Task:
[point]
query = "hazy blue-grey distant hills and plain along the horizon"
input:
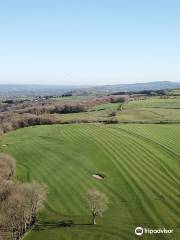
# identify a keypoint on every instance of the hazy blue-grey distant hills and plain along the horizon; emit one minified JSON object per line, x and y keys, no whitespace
{"x":22,"y":90}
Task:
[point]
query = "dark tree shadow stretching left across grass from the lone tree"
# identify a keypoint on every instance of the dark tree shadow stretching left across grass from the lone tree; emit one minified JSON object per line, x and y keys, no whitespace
{"x":57,"y":224}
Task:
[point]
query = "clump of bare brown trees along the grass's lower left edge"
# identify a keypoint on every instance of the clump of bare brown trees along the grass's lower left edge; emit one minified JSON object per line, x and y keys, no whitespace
{"x":19,"y":202}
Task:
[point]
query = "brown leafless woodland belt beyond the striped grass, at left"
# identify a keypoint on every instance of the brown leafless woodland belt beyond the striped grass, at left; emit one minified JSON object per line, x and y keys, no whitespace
{"x":39,"y":113}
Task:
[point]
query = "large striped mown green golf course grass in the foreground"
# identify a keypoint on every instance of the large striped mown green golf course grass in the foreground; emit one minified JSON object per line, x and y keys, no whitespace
{"x":141,"y":164}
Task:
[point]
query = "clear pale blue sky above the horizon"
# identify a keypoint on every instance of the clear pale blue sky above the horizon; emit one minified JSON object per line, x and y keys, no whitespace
{"x":89,"y":41}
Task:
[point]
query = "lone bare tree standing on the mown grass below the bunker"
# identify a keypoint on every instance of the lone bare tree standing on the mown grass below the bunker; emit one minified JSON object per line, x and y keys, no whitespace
{"x":97,"y":203}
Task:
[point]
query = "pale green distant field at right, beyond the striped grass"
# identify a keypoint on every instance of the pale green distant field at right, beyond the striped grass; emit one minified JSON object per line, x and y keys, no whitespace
{"x":151,"y":109}
